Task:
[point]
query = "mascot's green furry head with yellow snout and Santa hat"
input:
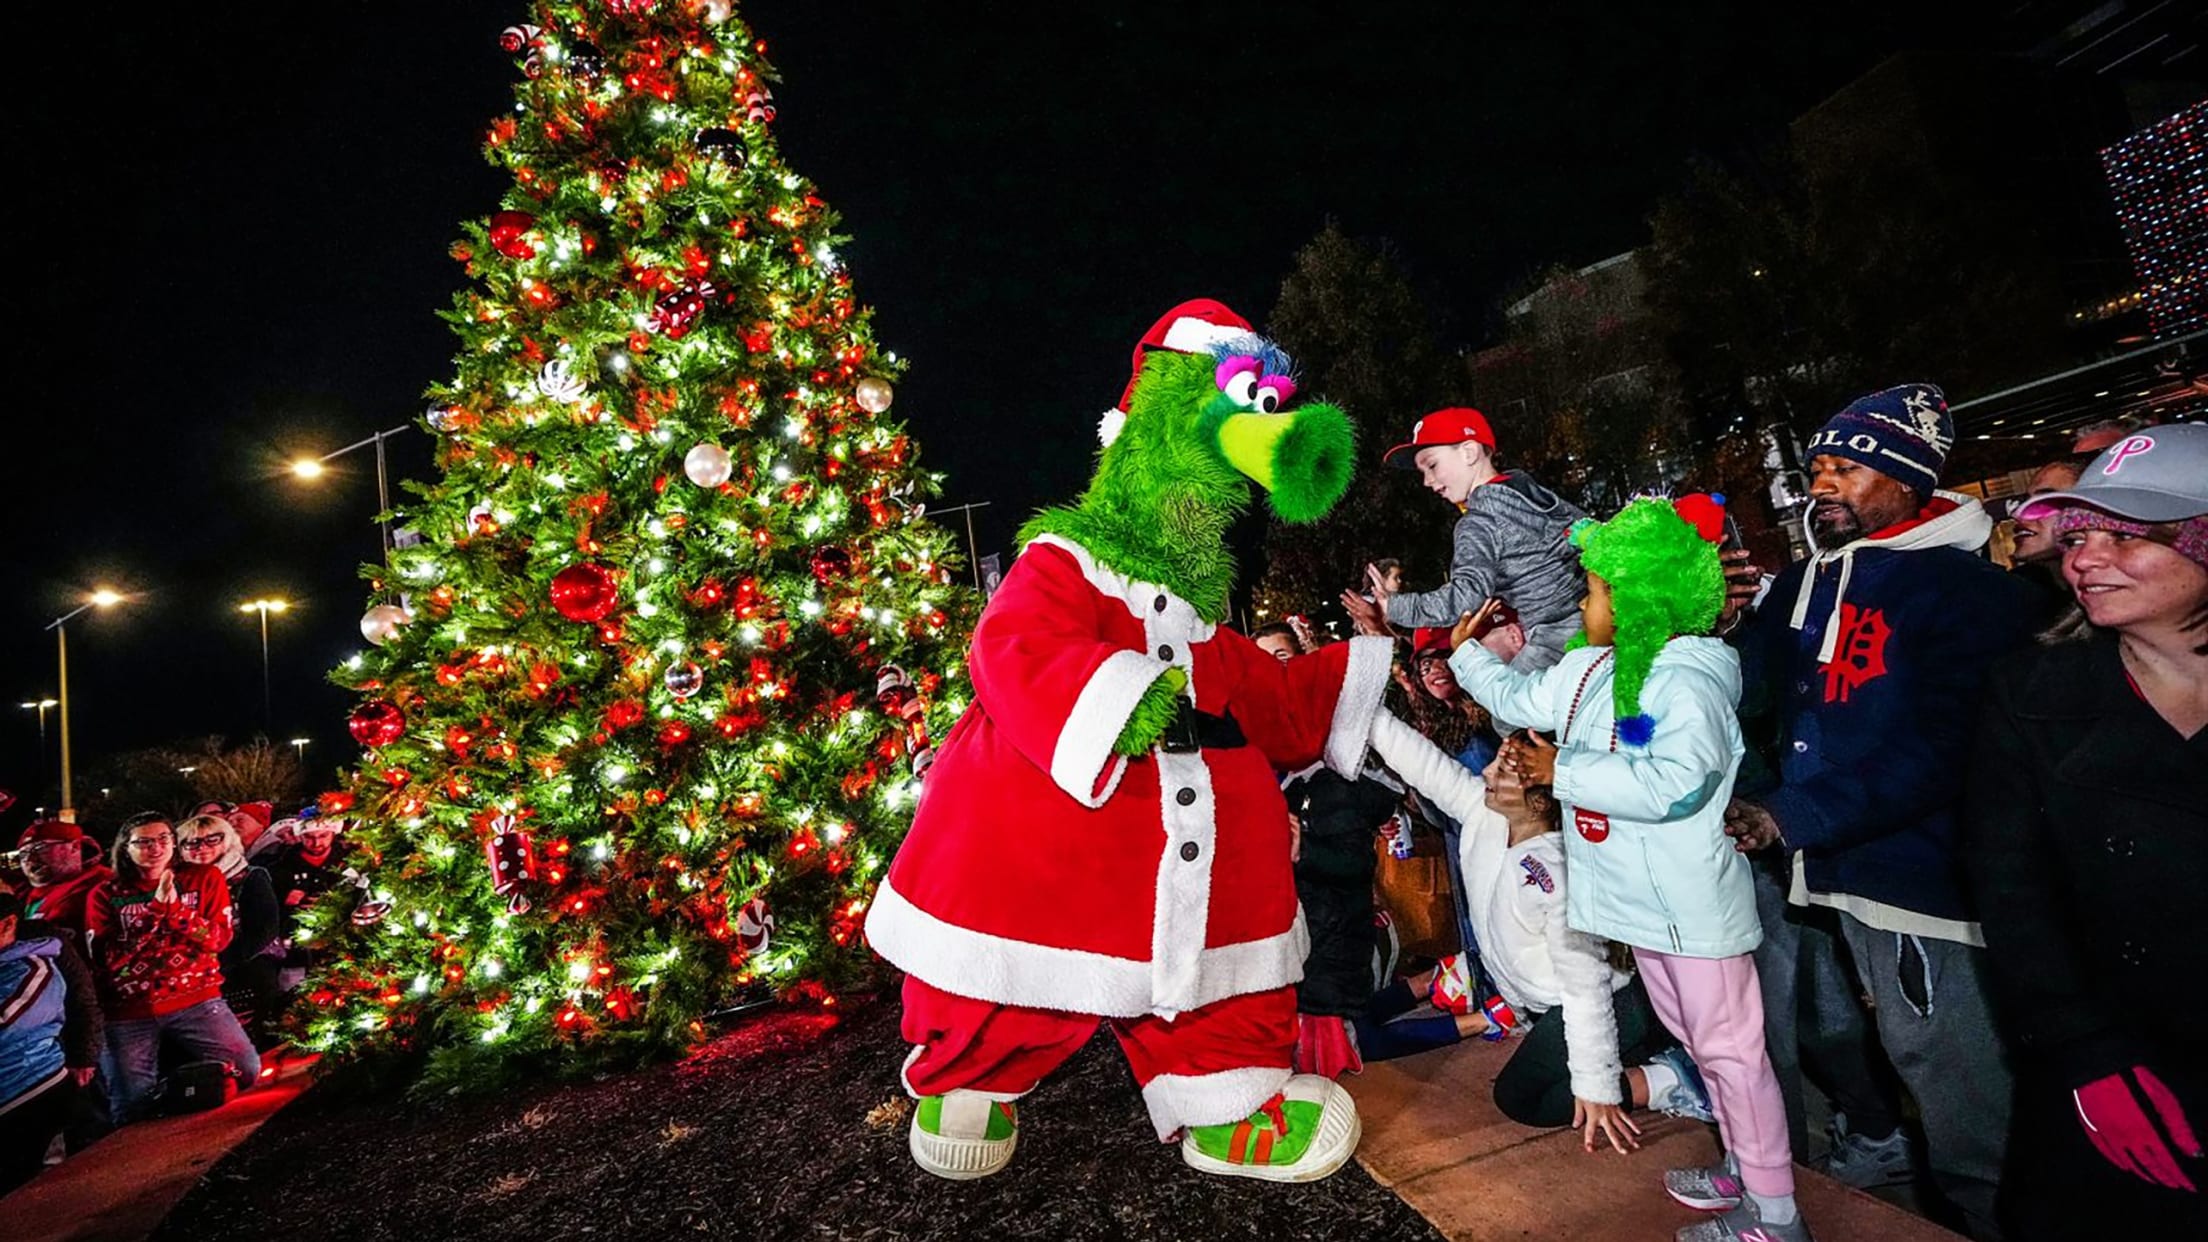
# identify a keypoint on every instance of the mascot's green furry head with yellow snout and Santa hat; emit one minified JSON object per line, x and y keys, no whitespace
{"x":1207,"y":414}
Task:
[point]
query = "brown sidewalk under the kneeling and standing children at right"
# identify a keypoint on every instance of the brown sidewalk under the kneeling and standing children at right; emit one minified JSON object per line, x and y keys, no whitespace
{"x":1434,"y":1137}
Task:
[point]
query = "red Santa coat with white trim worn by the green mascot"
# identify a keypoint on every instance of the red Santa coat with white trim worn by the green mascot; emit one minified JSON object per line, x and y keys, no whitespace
{"x":1048,"y":872}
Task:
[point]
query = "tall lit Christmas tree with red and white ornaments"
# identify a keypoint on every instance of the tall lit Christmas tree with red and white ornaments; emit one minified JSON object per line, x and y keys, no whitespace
{"x":650,"y":693}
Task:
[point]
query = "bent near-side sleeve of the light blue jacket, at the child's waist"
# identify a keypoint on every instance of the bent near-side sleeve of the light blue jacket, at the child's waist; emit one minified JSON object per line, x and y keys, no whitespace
{"x":1684,"y":766}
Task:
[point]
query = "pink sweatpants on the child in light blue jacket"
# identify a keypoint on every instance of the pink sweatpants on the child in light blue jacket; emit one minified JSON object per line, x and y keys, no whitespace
{"x":1717,"y":1009}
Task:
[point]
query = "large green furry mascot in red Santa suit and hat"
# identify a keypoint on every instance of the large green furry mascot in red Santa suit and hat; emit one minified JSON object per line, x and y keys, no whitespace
{"x":1103,"y":836}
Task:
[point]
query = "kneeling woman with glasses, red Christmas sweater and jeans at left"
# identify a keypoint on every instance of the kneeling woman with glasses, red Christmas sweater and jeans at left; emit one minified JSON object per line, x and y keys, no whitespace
{"x":156,"y":936}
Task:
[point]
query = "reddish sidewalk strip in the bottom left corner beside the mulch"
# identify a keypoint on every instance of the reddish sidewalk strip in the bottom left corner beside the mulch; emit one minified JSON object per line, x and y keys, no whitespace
{"x":120,"y":1188}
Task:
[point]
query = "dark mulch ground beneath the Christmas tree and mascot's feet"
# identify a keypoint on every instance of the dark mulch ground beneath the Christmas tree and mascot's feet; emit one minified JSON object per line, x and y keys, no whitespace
{"x":776,"y":1130}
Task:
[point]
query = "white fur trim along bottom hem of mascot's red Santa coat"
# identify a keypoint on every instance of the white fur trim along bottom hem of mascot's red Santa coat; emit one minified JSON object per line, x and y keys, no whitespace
{"x":1048,"y":978}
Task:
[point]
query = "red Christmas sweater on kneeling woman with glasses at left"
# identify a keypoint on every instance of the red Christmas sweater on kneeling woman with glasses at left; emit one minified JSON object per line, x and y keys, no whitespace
{"x":160,"y":958}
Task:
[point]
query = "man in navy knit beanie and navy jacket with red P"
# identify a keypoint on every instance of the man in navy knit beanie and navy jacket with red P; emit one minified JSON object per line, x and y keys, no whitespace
{"x":1873,"y":655}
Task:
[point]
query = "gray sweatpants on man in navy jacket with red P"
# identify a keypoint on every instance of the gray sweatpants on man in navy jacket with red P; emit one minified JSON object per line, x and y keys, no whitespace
{"x":1940,"y":1035}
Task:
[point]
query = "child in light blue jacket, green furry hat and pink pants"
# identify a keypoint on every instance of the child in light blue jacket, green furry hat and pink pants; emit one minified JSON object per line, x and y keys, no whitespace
{"x":1648,"y":744}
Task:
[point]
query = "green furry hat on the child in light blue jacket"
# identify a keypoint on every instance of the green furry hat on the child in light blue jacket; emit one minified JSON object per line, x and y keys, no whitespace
{"x":1662,"y":562}
